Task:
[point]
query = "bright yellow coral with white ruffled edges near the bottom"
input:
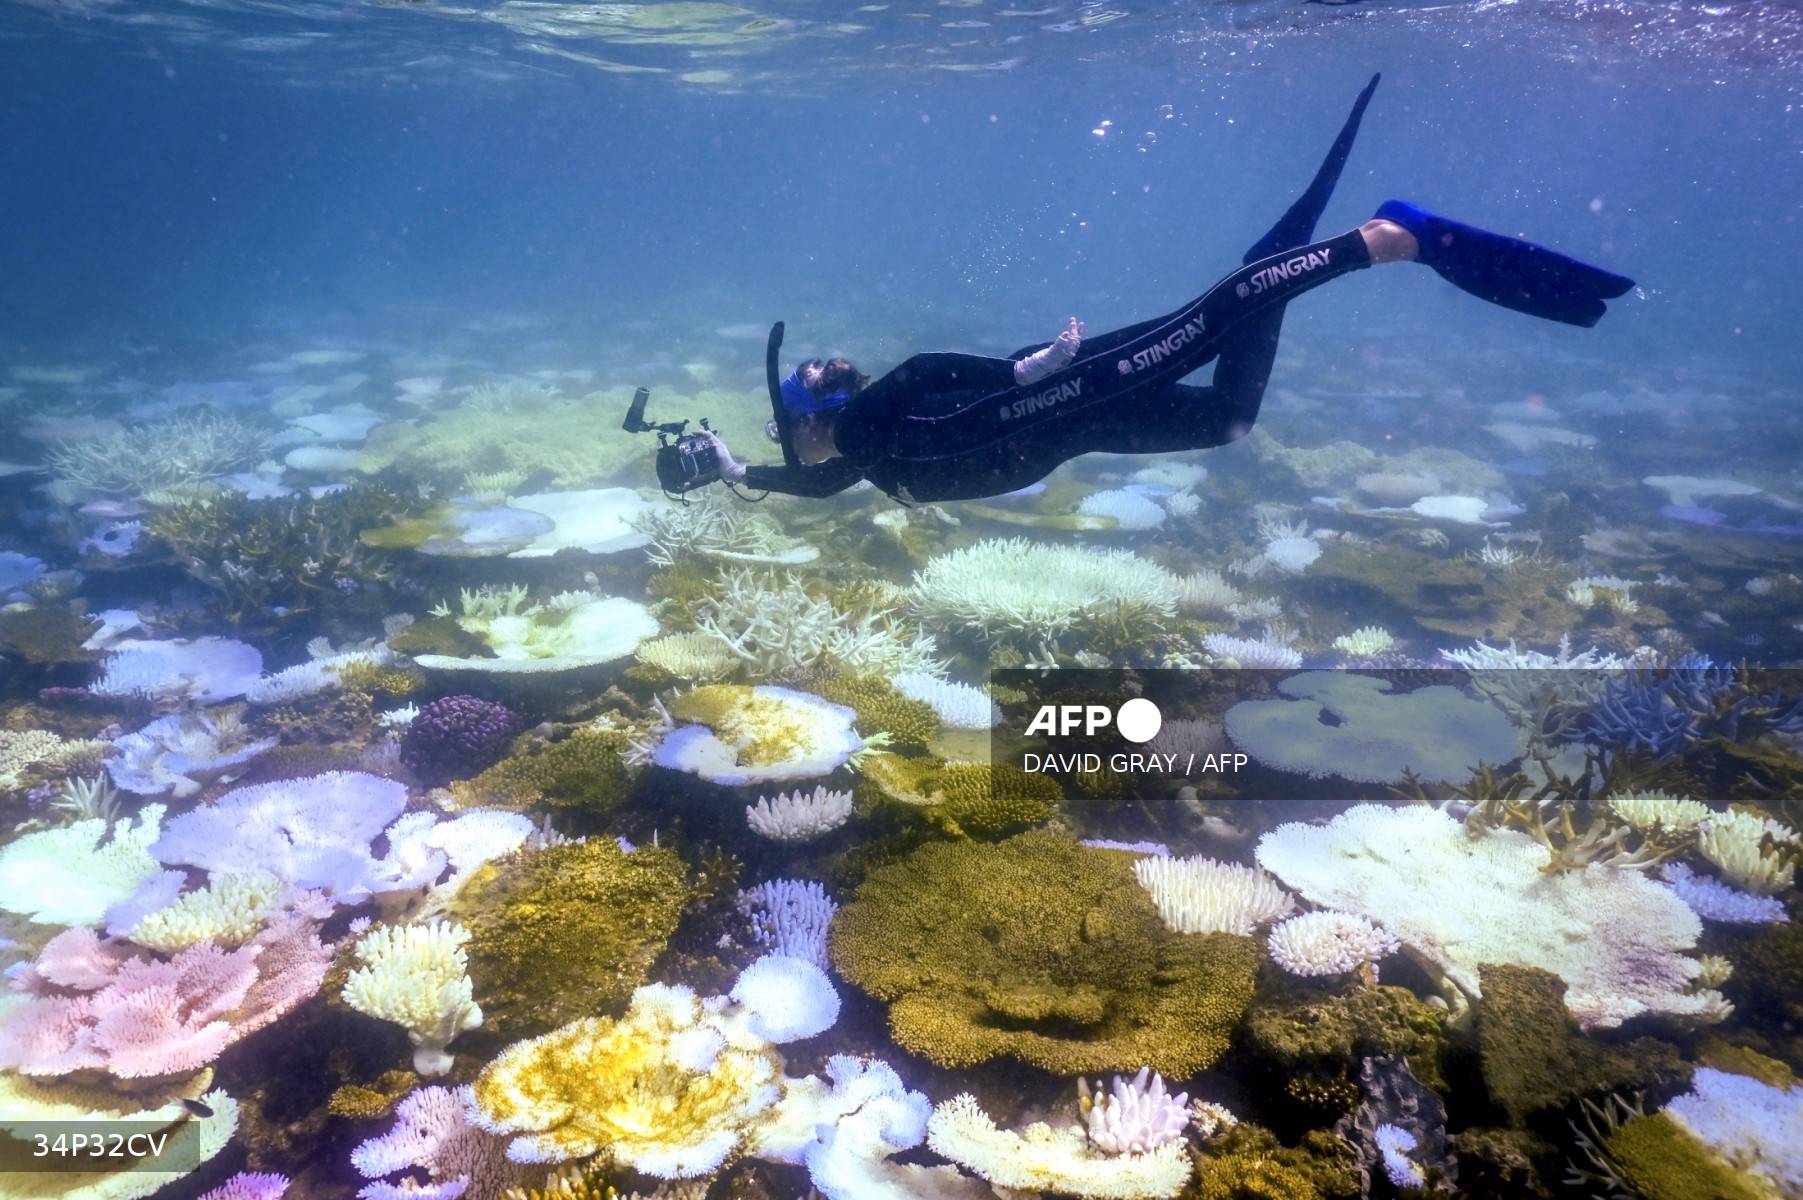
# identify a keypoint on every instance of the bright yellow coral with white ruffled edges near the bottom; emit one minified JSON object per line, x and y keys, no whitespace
{"x":639,"y":1091}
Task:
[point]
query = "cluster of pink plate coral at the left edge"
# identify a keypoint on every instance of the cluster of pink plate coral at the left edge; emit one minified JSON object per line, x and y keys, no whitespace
{"x":93,"y":1006}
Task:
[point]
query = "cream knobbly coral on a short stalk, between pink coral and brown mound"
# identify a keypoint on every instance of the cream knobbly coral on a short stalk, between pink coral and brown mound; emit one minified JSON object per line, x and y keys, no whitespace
{"x":417,"y":976}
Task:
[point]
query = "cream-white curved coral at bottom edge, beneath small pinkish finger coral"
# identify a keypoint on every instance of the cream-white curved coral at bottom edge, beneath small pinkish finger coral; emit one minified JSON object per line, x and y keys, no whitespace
{"x":1057,"y":1161}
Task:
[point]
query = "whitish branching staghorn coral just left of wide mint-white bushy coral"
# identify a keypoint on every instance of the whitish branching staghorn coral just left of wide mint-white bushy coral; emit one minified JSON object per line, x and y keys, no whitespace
{"x":773,"y":624}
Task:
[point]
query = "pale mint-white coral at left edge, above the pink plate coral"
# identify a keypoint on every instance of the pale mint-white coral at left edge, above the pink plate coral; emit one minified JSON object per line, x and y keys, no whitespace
{"x":68,"y":877}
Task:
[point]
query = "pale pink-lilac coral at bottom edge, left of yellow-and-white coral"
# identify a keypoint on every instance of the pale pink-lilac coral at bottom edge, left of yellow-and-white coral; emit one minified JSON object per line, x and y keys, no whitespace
{"x":432,"y":1132}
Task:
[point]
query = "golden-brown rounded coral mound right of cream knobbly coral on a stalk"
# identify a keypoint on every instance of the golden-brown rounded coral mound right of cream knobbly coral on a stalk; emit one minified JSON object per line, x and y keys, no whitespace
{"x":567,"y":931}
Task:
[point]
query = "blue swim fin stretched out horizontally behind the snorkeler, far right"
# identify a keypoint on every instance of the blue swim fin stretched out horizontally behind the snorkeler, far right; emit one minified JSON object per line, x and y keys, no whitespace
{"x":1508,"y":271}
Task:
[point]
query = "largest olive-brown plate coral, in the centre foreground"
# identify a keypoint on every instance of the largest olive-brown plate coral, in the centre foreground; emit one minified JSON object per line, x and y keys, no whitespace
{"x":1043,"y":950}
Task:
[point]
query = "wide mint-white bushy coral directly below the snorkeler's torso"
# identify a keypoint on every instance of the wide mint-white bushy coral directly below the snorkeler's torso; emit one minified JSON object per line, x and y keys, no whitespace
{"x":1039,"y":590}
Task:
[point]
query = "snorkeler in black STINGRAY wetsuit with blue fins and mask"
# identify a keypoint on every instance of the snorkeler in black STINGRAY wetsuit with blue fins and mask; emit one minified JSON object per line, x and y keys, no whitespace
{"x":955,"y":426}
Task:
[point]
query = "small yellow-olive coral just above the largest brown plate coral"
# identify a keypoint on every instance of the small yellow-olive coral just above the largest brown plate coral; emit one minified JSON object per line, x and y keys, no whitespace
{"x":966,"y":799}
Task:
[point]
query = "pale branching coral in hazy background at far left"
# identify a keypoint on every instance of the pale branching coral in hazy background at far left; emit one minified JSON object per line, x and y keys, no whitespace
{"x":172,"y":453}
